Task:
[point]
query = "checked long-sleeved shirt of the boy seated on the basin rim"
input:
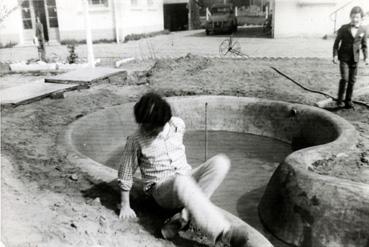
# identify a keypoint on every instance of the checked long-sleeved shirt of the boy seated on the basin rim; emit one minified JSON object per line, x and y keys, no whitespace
{"x":158,"y":157}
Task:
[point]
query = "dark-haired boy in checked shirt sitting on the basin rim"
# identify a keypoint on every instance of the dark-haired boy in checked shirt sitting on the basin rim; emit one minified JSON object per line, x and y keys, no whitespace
{"x":157,"y":149}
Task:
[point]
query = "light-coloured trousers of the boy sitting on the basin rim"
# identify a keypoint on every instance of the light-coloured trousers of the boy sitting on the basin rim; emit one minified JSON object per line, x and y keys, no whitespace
{"x":193,"y":192}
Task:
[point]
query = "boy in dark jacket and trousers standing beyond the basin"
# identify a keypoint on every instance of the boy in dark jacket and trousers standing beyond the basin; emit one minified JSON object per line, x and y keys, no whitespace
{"x":346,"y":49}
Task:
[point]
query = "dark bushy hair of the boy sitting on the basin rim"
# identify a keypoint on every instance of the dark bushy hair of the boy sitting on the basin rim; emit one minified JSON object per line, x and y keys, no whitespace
{"x":152,"y":111}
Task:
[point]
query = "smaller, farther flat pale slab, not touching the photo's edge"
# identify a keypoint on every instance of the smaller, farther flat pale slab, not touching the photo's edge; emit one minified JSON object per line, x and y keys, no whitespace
{"x":84,"y":75}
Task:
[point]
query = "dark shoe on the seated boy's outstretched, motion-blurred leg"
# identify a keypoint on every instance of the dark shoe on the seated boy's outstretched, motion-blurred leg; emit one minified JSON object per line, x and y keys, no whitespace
{"x":236,"y":236}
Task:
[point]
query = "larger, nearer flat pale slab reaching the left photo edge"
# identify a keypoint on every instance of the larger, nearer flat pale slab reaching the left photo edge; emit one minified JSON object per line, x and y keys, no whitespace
{"x":31,"y":92}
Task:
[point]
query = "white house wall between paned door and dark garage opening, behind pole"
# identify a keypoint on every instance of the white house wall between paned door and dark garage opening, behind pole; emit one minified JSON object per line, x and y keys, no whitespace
{"x":141,"y":18}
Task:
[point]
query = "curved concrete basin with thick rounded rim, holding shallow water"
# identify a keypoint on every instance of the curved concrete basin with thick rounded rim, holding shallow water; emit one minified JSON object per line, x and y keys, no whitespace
{"x":299,"y":206}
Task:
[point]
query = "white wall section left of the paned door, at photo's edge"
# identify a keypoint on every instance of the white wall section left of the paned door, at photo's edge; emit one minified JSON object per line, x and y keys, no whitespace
{"x":11,"y":28}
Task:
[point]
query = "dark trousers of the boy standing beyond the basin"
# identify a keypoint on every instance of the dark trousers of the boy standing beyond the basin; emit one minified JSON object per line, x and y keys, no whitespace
{"x":348,"y":77}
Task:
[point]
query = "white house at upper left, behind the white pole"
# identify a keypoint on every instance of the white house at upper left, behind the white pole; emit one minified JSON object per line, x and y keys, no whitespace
{"x":64,"y":19}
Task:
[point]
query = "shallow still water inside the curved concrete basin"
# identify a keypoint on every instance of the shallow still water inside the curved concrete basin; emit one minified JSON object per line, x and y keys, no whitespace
{"x":254,"y":159}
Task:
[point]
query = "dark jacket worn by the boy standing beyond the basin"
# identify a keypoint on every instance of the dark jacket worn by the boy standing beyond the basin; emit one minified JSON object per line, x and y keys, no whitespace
{"x":347,"y":47}
